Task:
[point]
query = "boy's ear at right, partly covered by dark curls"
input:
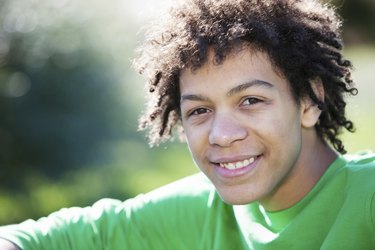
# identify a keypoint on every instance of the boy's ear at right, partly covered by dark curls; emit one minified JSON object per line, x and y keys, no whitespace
{"x":310,"y":111}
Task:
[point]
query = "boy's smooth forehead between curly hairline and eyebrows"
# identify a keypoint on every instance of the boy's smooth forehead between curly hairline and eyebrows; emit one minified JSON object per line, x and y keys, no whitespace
{"x":246,"y":64}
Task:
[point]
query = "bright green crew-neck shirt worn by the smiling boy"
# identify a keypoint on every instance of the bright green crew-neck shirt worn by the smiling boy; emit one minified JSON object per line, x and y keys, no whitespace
{"x":338,"y":213}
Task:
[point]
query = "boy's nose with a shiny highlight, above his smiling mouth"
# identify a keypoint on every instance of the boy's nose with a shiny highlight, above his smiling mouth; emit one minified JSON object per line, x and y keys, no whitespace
{"x":225,"y":130}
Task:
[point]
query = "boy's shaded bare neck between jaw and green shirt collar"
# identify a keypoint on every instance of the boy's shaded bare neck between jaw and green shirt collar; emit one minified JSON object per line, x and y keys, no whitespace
{"x":315,"y":157}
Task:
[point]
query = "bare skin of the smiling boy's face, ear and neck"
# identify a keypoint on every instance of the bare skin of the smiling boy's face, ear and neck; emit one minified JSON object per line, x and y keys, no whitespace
{"x":243,"y":110}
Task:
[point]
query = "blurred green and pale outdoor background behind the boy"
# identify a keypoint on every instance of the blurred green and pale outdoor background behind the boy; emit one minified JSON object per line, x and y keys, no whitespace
{"x":69,"y":103}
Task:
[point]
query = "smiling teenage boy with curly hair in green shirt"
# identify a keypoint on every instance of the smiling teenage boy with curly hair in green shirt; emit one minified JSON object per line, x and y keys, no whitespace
{"x":256,"y":88}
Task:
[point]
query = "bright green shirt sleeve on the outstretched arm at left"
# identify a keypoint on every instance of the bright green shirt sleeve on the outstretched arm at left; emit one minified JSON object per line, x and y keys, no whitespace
{"x":169,"y":216}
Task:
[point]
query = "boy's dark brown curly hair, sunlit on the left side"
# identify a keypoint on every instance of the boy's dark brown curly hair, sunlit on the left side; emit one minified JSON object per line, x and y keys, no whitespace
{"x":301,"y":37}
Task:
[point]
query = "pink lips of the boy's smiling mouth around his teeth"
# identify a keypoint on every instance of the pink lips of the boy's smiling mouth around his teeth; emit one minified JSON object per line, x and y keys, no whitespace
{"x":232,"y":173}
